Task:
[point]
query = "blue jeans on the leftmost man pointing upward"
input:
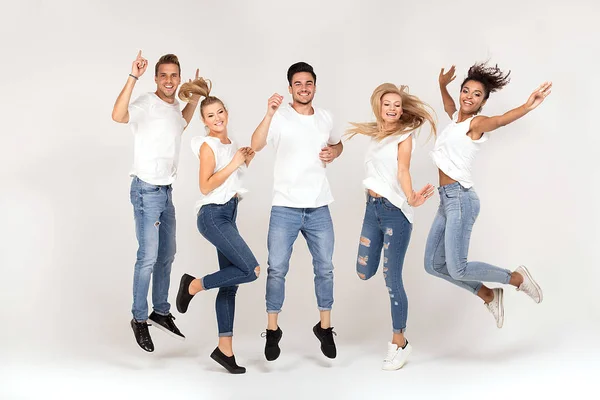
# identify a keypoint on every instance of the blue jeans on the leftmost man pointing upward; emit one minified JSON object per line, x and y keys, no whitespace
{"x":155,"y":231}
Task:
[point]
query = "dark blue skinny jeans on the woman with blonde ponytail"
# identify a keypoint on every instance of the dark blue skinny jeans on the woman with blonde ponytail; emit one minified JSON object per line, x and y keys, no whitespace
{"x":216,"y":222}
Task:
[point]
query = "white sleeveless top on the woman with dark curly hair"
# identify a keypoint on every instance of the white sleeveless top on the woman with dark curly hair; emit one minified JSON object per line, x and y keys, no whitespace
{"x":454,"y":151}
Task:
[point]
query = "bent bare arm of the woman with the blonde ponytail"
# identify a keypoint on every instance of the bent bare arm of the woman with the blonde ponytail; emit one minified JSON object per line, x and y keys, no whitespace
{"x":209,"y":180}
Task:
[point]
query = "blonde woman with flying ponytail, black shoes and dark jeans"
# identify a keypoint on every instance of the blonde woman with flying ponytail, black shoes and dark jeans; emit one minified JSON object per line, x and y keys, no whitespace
{"x":221,"y":166}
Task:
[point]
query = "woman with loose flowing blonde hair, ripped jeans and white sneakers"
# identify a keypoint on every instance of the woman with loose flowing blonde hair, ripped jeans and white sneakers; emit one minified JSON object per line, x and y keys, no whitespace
{"x":391,"y":198}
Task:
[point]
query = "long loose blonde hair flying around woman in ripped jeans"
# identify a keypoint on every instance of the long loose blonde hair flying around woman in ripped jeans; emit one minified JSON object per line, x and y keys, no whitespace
{"x":415,"y":114}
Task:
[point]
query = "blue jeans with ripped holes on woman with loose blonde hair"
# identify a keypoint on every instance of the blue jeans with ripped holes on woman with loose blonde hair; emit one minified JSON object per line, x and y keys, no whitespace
{"x":385,"y":227}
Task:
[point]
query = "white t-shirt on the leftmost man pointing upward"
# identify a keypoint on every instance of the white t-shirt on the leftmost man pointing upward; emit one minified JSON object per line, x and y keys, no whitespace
{"x":157,"y":127}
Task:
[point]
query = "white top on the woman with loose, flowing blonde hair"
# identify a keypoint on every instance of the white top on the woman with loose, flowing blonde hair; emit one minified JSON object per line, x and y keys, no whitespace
{"x":381,"y":168}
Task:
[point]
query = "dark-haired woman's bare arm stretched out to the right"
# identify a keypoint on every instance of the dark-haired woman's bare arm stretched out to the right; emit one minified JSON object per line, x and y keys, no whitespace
{"x":481,"y":124}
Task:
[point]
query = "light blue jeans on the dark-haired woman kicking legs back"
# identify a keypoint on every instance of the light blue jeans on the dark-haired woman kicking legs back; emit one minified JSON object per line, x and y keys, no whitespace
{"x":448,"y":242}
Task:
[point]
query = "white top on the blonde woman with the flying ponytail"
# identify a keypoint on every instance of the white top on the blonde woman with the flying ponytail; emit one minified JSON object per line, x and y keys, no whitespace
{"x":223,"y":155}
